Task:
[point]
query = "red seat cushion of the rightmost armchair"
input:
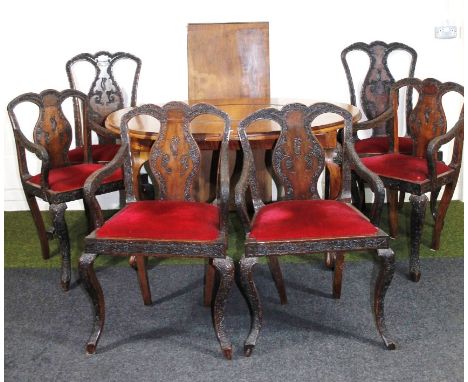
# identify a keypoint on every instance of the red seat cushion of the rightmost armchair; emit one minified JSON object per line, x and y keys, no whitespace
{"x":405,"y":167}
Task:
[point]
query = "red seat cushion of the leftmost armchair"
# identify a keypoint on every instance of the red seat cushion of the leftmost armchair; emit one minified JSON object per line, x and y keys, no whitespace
{"x":73,"y":177}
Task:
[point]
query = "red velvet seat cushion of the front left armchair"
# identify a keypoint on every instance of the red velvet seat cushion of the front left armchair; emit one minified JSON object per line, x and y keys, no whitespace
{"x":163,"y":220}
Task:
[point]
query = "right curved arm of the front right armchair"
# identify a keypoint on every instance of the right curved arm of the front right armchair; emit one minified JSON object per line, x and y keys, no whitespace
{"x":372,"y":179}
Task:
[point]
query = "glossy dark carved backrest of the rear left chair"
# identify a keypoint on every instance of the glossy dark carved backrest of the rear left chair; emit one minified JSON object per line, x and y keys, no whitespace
{"x":105,"y":94}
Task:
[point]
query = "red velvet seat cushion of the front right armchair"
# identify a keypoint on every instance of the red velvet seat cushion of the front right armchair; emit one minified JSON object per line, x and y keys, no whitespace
{"x":309,"y":219}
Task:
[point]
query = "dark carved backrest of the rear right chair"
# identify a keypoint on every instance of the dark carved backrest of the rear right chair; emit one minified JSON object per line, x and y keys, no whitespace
{"x":375,"y":89}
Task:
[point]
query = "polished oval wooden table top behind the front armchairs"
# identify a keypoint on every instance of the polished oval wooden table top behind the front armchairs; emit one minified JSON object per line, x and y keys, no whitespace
{"x":209,"y":128}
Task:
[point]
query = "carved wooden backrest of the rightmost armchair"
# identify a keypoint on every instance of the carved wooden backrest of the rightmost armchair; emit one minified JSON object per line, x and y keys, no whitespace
{"x":427,"y":120}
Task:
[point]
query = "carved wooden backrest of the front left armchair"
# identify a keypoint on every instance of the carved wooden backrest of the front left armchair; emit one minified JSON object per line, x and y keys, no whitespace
{"x":175,"y":156}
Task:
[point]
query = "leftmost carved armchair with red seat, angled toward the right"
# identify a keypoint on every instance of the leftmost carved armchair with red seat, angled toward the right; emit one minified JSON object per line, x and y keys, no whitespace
{"x":59,"y":180}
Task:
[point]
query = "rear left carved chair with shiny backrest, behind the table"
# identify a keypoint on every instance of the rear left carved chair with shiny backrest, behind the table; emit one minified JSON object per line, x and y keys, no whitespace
{"x":105,"y":96}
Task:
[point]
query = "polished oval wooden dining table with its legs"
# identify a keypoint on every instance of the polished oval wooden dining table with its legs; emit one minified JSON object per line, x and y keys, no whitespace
{"x":262,"y":135}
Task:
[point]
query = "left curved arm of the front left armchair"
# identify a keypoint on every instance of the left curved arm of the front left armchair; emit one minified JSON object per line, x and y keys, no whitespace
{"x":94,"y":181}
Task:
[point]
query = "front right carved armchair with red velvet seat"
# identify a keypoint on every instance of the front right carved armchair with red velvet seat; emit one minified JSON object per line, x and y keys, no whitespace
{"x":300,"y":222}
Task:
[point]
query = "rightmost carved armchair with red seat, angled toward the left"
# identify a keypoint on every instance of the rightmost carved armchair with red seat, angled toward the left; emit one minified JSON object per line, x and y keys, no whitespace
{"x":422,"y":171}
